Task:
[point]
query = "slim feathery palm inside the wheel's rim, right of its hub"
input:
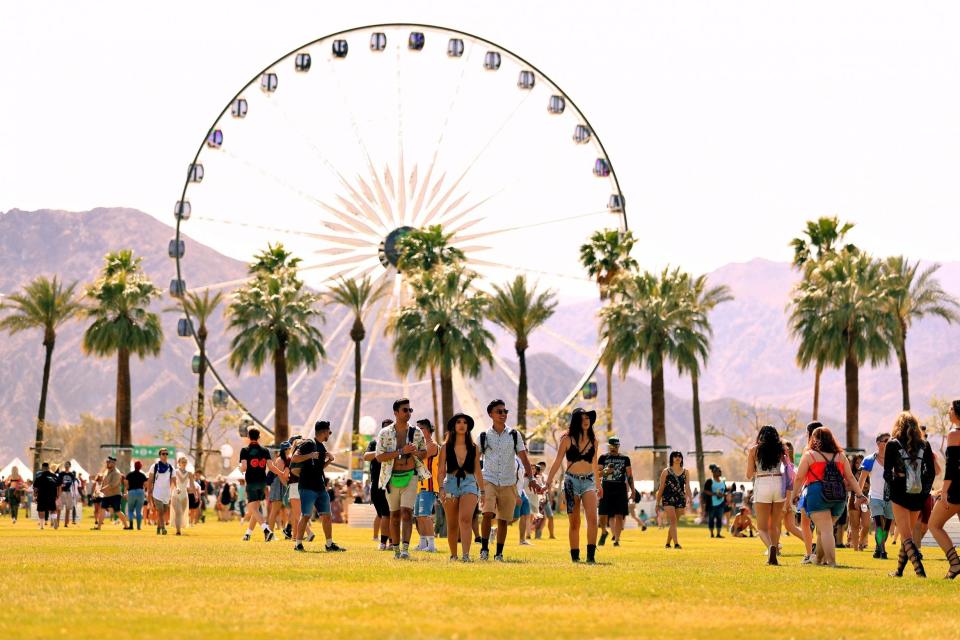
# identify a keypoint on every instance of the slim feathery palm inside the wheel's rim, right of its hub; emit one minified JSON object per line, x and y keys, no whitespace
{"x":520,"y":310}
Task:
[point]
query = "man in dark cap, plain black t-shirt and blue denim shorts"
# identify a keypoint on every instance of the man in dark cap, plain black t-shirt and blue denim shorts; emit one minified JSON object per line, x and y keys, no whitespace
{"x":313,"y":457}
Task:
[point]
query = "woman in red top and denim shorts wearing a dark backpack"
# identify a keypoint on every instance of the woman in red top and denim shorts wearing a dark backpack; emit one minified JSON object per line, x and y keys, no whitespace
{"x":826,"y":472}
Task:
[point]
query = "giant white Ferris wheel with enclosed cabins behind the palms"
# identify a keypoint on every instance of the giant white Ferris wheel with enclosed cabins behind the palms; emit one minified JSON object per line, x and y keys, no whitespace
{"x":339,"y":147}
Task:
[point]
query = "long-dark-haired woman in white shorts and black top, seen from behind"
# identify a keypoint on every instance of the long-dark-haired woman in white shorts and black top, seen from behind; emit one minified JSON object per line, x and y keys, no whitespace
{"x":765,"y":466}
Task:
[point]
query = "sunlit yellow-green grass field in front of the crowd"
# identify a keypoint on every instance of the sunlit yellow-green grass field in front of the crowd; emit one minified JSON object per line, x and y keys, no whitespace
{"x":208,"y":584}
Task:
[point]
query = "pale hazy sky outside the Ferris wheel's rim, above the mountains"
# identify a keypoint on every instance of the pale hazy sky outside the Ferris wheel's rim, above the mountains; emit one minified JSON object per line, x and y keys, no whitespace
{"x":728,"y":123}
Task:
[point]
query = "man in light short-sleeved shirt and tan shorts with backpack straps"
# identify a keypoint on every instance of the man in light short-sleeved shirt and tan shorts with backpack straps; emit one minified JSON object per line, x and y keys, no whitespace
{"x":500,"y":447}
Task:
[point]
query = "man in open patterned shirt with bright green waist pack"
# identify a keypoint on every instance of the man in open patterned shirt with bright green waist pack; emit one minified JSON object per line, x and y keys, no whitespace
{"x":400,"y":450}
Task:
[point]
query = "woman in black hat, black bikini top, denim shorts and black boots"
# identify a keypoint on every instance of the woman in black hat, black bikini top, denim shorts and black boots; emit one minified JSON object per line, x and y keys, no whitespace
{"x":581,"y":482}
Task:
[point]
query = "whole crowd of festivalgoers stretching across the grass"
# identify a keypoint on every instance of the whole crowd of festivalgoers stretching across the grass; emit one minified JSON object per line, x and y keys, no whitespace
{"x":471,"y":490}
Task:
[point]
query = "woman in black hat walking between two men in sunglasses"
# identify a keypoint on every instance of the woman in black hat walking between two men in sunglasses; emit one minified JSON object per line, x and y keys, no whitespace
{"x":460,"y":490}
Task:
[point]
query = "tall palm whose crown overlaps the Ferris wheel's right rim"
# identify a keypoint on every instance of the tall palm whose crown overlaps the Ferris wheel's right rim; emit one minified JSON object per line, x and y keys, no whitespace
{"x":606,"y":257}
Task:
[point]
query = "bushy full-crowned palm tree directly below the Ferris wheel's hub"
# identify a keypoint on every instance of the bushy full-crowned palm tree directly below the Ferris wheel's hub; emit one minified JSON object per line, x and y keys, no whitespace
{"x":442,"y":326}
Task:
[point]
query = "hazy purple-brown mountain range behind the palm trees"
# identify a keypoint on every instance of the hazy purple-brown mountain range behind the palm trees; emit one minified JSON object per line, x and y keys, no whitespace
{"x":751,"y":364}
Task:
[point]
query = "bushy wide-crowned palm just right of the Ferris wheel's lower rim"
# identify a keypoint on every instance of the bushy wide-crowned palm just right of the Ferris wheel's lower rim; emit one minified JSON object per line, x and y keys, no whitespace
{"x":651,"y":322}
